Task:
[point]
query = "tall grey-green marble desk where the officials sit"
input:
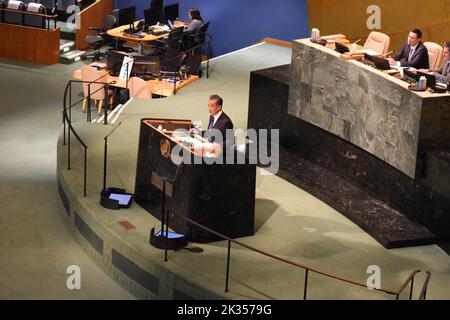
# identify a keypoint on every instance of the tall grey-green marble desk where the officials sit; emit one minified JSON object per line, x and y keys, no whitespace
{"x":367,"y":107}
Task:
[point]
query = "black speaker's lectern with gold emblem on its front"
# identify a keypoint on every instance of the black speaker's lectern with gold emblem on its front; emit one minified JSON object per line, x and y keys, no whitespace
{"x":219,"y":196}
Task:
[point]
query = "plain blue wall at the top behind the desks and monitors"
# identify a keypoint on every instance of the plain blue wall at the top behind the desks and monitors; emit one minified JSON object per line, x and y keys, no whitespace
{"x":239,"y":23}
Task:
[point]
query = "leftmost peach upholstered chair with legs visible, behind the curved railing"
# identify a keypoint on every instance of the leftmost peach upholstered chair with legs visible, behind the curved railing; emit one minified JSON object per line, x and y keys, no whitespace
{"x":96,"y":91}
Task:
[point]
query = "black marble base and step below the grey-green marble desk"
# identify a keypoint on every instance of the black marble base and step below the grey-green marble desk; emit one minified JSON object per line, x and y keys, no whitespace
{"x":380,"y":199}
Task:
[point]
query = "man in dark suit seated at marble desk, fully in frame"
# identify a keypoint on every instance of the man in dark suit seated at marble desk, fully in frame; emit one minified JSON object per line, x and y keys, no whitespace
{"x":414,"y":53}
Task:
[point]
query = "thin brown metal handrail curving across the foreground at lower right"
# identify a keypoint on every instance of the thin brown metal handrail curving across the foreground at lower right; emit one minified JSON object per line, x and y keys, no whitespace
{"x":396,"y":293}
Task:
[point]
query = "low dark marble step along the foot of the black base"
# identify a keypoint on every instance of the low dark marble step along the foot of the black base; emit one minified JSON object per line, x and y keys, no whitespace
{"x":385,"y":224}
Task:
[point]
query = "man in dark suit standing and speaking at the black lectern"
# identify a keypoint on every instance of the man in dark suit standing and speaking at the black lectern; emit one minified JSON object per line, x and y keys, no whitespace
{"x":219,"y":122}
